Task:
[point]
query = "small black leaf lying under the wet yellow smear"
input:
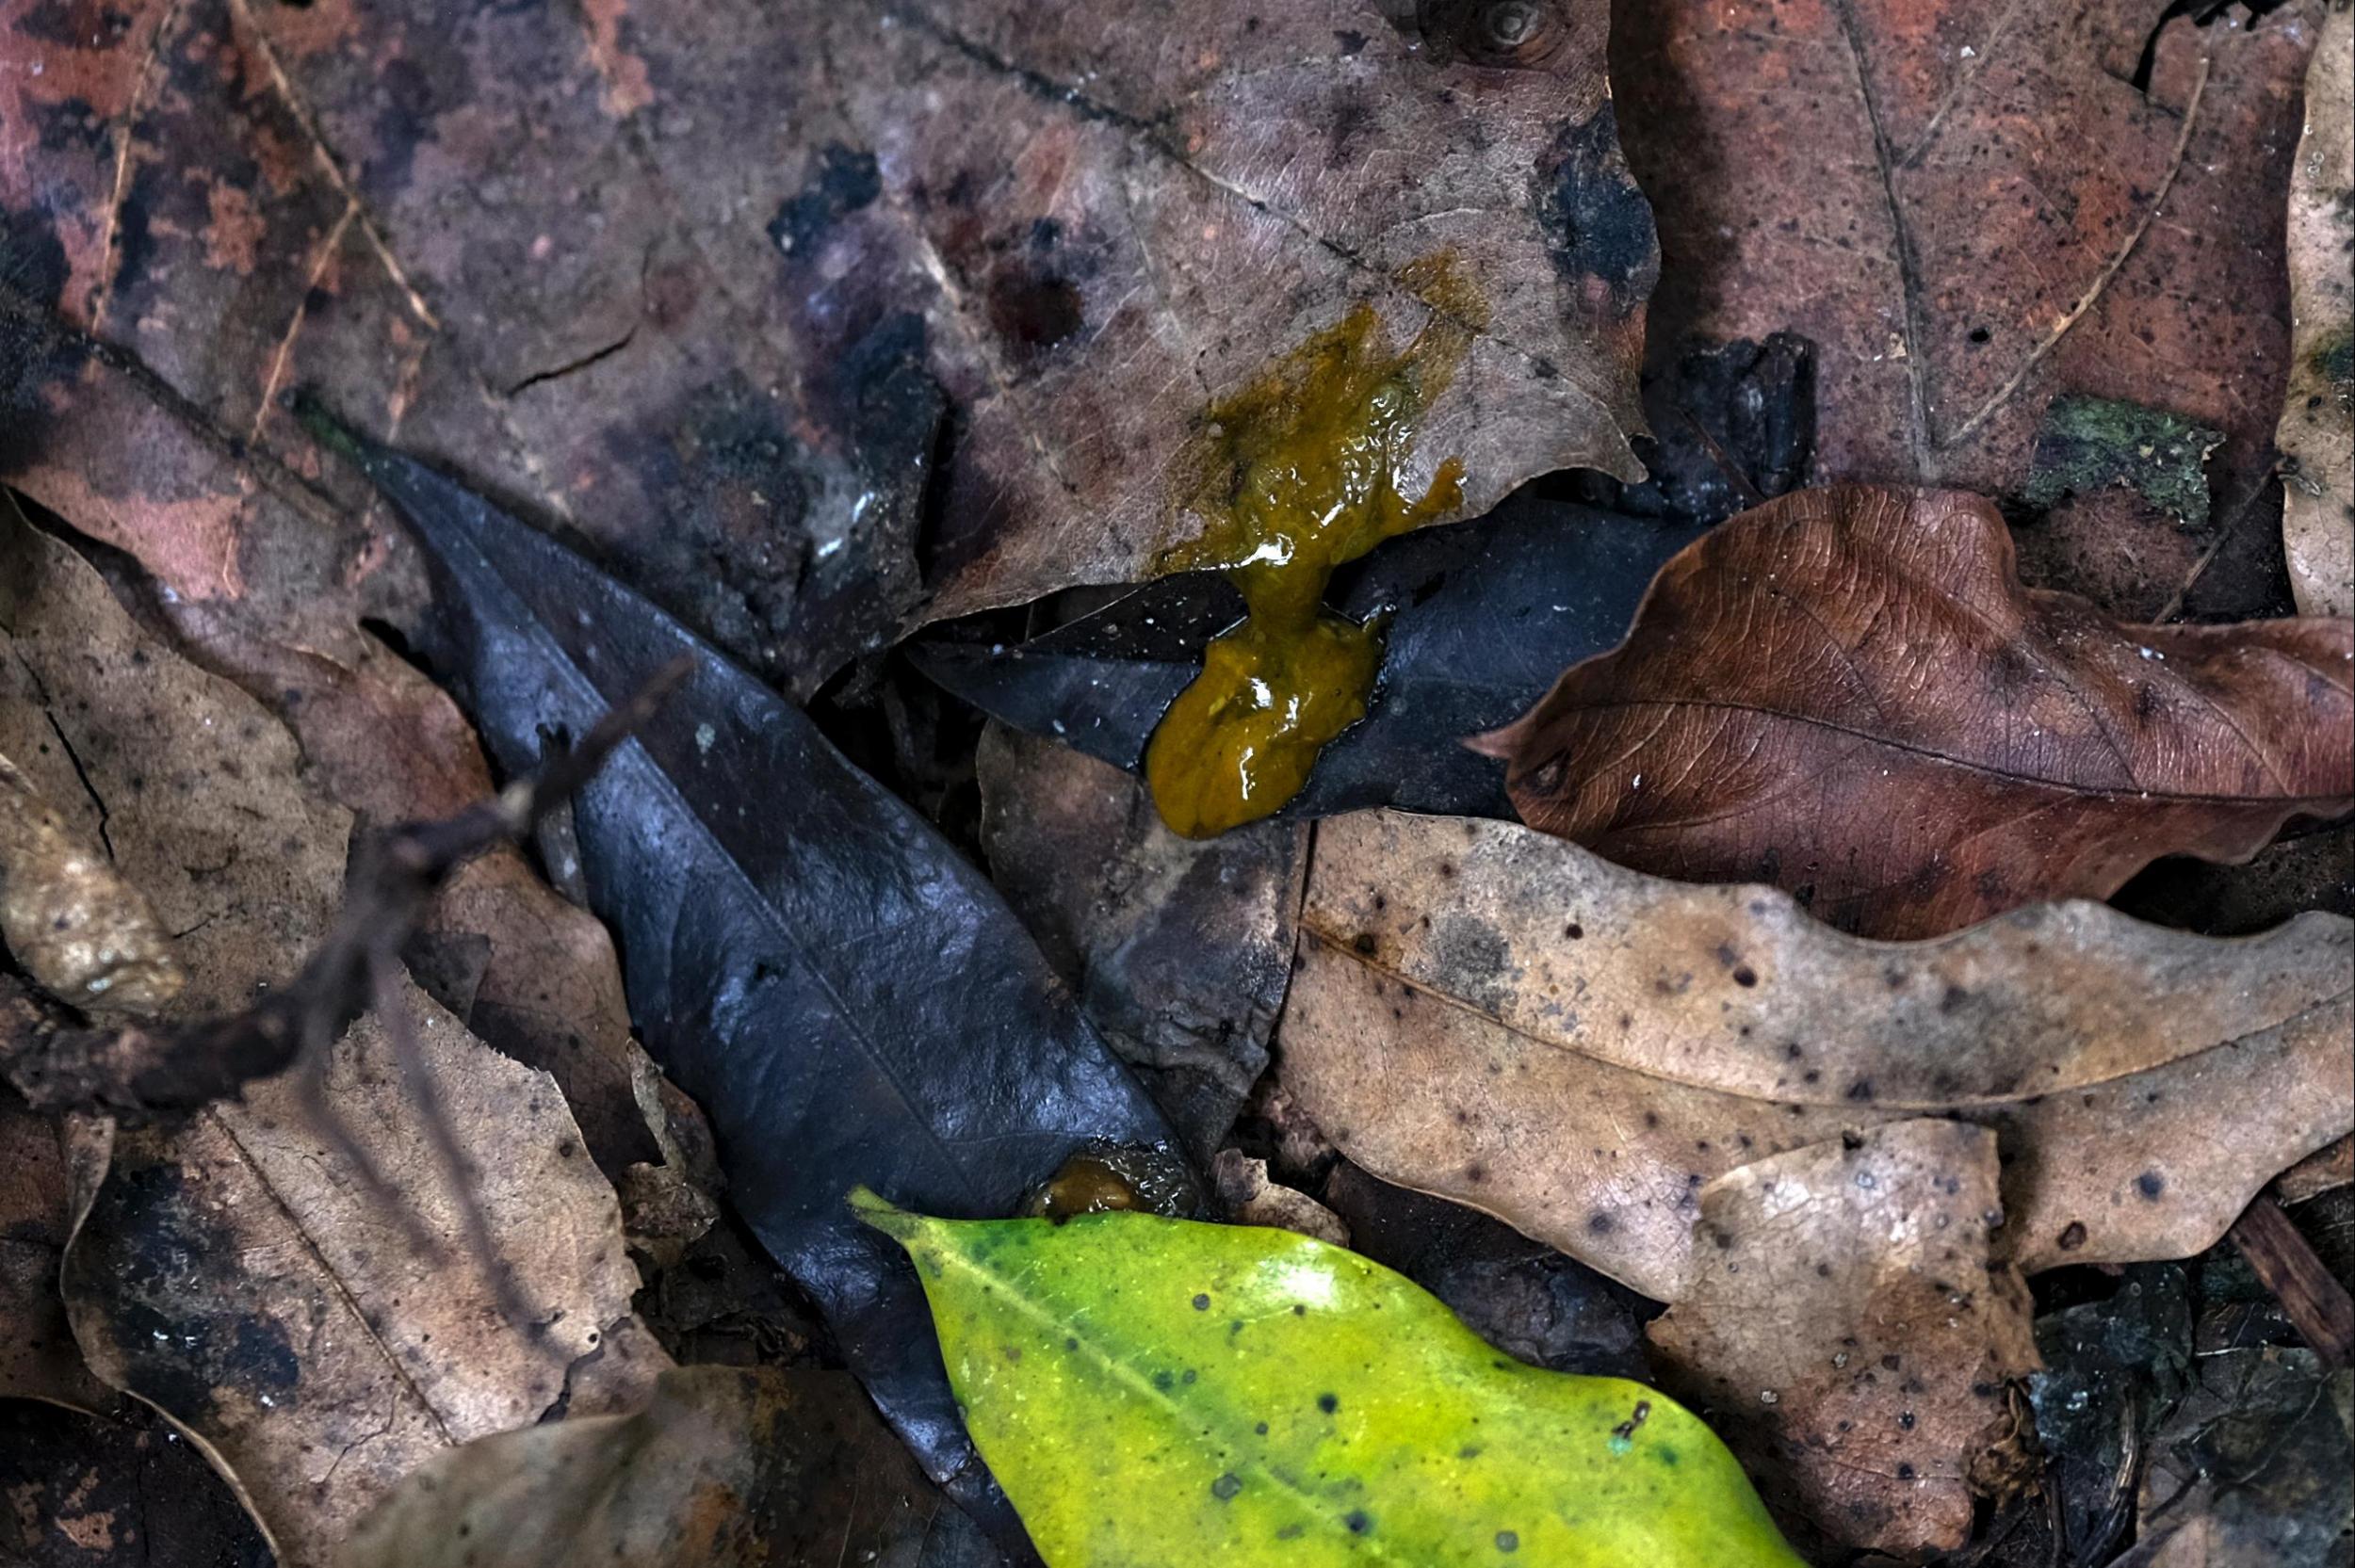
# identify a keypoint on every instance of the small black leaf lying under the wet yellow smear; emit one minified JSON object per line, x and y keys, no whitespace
{"x":1485,"y":616}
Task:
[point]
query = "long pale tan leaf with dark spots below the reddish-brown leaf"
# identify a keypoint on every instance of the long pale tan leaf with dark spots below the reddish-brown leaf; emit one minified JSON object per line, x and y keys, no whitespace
{"x":1577,"y":1049}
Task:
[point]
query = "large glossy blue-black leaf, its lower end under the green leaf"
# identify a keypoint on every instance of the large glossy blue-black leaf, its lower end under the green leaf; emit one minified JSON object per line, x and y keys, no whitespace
{"x":816,"y":966}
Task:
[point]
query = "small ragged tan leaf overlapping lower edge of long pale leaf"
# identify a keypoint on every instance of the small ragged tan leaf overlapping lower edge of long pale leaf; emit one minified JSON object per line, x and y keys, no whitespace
{"x":1852,"y":1331}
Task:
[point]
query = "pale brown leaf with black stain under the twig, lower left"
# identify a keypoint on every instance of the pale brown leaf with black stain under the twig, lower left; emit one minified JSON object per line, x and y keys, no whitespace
{"x":246,"y":1282}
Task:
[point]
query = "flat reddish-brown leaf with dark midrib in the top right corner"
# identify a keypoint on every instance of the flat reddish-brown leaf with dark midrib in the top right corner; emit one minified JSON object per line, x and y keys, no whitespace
{"x":1972,"y":208}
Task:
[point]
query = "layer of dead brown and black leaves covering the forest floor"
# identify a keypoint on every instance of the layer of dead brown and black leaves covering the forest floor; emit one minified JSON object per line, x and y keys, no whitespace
{"x":814,"y":380}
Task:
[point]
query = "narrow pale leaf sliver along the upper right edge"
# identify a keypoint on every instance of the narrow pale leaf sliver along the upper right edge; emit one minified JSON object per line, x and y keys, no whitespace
{"x":2318,"y":416}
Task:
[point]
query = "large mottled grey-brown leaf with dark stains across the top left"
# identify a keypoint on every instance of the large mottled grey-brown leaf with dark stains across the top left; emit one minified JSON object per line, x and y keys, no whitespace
{"x":722,"y":286}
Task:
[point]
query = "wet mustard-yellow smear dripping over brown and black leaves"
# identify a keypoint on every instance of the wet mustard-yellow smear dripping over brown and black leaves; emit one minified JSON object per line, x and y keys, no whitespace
{"x":1299,"y":474}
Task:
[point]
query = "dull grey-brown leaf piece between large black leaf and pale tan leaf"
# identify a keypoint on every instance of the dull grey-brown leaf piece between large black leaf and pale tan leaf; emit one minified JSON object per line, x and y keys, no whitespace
{"x":1176,"y":948}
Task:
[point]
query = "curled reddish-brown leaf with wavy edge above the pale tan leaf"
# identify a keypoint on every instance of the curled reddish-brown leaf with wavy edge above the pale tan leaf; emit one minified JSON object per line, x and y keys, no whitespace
{"x":1847,"y":693}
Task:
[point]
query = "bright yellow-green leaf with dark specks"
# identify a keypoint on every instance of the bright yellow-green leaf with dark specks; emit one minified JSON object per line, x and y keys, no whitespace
{"x":1169,"y":1393}
